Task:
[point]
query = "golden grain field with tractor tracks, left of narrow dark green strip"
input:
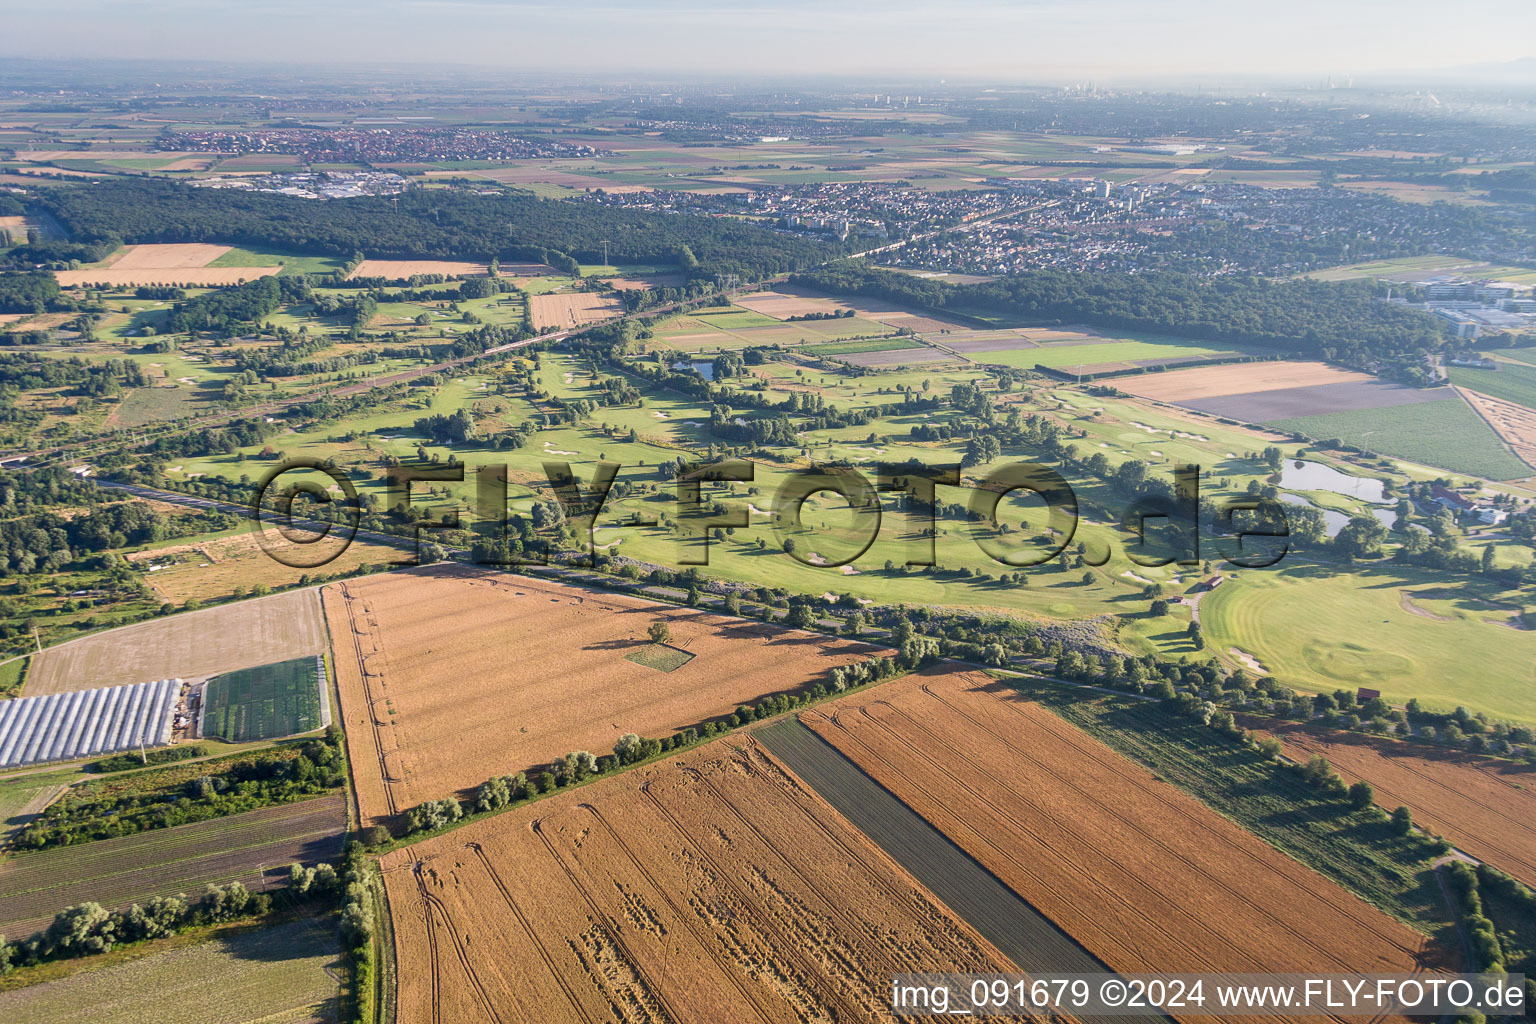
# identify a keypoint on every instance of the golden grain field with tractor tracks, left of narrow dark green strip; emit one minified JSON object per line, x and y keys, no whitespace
{"x":707,"y":888}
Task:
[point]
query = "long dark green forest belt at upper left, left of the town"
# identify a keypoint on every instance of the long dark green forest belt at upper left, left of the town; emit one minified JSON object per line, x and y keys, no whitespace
{"x":428,"y":225}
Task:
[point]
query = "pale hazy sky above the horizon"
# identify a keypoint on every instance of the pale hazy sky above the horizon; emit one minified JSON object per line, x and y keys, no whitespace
{"x":1022,"y":39}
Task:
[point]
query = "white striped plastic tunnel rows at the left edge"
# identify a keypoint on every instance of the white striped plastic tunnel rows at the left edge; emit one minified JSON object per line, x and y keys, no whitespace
{"x":87,"y":722}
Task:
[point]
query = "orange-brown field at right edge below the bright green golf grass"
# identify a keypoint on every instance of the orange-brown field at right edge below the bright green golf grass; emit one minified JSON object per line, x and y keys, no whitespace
{"x":1486,"y":808}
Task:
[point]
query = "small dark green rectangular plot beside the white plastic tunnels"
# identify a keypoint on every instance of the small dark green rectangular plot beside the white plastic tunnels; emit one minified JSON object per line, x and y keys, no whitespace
{"x":263,"y":704}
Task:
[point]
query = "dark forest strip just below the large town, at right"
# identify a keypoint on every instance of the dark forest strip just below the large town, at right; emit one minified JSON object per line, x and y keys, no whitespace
{"x":1340,"y":322}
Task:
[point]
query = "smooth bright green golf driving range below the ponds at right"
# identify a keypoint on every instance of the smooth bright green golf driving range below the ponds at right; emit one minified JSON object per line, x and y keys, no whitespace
{"x":1391,"y":629}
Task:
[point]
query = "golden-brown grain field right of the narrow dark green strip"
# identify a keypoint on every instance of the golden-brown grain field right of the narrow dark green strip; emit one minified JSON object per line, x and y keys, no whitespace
{"x":1144,"y":876}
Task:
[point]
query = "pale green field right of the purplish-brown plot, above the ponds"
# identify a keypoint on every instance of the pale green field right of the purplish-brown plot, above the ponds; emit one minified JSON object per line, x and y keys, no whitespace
{"x":1448,"y":435}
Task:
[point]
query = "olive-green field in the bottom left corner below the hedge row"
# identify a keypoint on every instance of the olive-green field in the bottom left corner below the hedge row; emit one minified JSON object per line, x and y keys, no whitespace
{"x":277,"y":974}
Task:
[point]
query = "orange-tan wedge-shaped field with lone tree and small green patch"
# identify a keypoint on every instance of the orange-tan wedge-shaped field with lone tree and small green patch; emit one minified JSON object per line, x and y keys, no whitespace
{"x":451,"y":676}
